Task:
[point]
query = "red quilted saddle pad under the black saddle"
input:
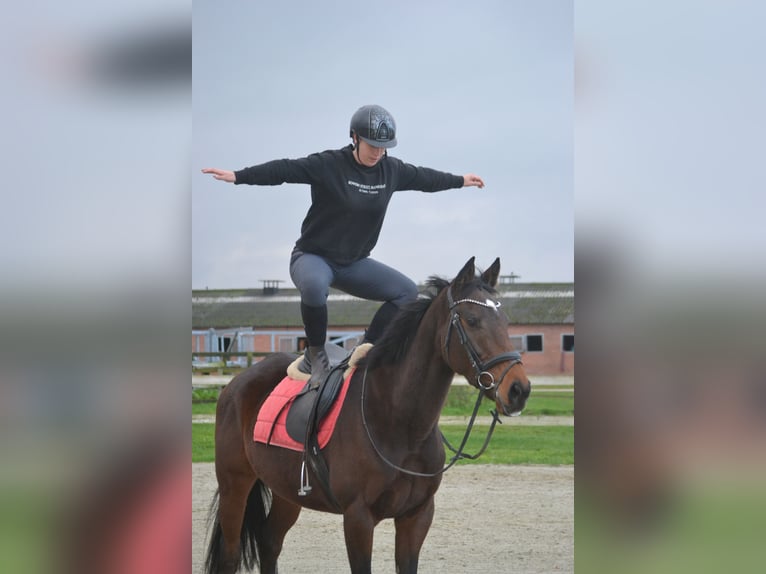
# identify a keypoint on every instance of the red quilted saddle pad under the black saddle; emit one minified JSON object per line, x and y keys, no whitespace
{"x":270,"y":425}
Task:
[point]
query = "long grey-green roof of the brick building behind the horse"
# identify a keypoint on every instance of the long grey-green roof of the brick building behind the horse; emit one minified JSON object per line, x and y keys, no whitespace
{"x":524,"y":303}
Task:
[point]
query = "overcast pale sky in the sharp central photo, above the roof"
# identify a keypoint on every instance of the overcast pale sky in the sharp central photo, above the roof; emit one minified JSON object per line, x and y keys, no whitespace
{"x":483,"y":87}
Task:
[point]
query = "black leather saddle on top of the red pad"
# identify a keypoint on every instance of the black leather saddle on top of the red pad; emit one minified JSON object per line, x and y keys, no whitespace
{"x":313,"y":401}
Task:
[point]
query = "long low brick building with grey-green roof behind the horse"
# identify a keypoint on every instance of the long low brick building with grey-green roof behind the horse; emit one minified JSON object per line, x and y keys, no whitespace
{"x":541,"y":322}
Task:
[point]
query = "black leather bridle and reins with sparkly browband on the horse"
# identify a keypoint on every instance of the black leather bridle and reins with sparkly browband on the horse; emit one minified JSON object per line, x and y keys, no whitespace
{"x":484,"y":380}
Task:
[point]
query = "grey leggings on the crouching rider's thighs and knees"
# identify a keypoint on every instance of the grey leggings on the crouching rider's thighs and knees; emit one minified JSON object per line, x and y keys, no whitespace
{"x":367,"y":279}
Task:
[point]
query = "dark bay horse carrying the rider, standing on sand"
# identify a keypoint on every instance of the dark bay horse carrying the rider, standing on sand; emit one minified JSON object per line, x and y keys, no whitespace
{"x":386,"y":455}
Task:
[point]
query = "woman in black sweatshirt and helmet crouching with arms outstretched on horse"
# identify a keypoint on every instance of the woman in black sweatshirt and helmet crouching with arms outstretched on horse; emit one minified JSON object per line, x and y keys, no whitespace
{"x":350,"y":191}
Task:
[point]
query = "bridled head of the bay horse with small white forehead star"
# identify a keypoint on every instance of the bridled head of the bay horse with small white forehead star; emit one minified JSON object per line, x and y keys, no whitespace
{"x":475,"y":340}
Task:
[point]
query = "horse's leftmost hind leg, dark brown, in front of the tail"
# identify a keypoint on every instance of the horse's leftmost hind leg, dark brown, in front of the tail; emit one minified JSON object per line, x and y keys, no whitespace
{"x":234,"y":491}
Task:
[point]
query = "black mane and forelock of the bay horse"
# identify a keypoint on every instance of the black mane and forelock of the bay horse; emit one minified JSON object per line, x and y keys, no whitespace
{"x":393,"y":345}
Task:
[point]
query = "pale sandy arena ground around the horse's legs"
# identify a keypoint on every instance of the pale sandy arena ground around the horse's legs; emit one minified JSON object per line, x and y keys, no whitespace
{"x":490,"y":519}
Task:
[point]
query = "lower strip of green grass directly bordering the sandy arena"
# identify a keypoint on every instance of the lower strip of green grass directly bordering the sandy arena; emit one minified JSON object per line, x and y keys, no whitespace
{"x":552,"y":445}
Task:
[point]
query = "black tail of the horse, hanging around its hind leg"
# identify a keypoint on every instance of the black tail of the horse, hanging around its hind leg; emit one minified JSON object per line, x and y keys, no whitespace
{"x":251,"y":536}
